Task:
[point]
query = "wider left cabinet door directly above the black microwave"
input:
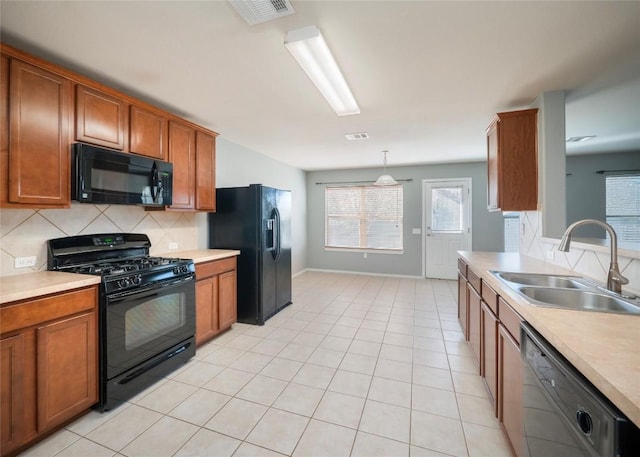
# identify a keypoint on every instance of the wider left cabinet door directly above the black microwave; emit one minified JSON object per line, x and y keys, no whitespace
{"x":100,"y":118}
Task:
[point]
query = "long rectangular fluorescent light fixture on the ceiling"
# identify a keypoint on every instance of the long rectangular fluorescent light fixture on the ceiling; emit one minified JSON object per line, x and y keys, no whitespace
{"x":311,"y":52}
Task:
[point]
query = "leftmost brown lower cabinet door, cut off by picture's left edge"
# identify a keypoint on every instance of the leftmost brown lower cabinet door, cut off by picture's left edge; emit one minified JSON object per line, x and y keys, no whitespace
{"x":12,"y":384}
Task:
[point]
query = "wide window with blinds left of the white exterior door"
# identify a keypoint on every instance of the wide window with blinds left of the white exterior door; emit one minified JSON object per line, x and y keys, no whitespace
{"x":364,"y":217}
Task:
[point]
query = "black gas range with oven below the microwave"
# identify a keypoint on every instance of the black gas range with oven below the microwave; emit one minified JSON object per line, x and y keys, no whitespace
{"x":146,"y":308}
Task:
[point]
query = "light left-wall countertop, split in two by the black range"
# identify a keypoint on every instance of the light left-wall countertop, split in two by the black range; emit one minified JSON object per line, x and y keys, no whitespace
{"x":35,"y":284}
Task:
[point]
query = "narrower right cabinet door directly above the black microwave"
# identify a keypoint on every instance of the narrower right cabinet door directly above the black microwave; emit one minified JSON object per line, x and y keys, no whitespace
{"x":147,"y":133}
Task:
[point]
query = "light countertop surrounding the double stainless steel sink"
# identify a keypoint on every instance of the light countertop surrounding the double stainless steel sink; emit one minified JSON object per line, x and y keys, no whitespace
{"x":604,"y":347}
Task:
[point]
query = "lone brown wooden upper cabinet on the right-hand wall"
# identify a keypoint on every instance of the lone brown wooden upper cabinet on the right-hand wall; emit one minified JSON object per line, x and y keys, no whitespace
{"x":513,"y":161}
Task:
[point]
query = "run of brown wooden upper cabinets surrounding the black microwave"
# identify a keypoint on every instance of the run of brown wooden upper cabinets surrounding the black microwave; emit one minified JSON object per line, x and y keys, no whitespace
{"x":39,"y":120}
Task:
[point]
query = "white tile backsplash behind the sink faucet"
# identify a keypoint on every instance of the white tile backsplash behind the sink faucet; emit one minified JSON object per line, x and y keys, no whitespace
{"x":592,"y":263}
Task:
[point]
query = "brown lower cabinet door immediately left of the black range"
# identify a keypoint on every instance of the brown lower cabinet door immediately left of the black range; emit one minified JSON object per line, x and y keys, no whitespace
{"x":67,"y":365}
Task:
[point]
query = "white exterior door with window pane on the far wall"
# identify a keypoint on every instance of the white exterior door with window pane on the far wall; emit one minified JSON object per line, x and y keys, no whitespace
{"x":447,"y":225}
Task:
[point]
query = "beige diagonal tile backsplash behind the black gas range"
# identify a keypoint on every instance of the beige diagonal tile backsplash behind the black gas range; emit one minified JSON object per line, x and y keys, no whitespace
{"x":24,"y":232}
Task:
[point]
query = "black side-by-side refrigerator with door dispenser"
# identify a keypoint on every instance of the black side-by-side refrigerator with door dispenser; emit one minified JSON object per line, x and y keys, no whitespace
{"x":257,"y":221}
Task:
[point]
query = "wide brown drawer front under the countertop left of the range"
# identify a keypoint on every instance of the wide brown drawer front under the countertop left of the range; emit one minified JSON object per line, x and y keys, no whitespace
{"x":34,"y":312}
